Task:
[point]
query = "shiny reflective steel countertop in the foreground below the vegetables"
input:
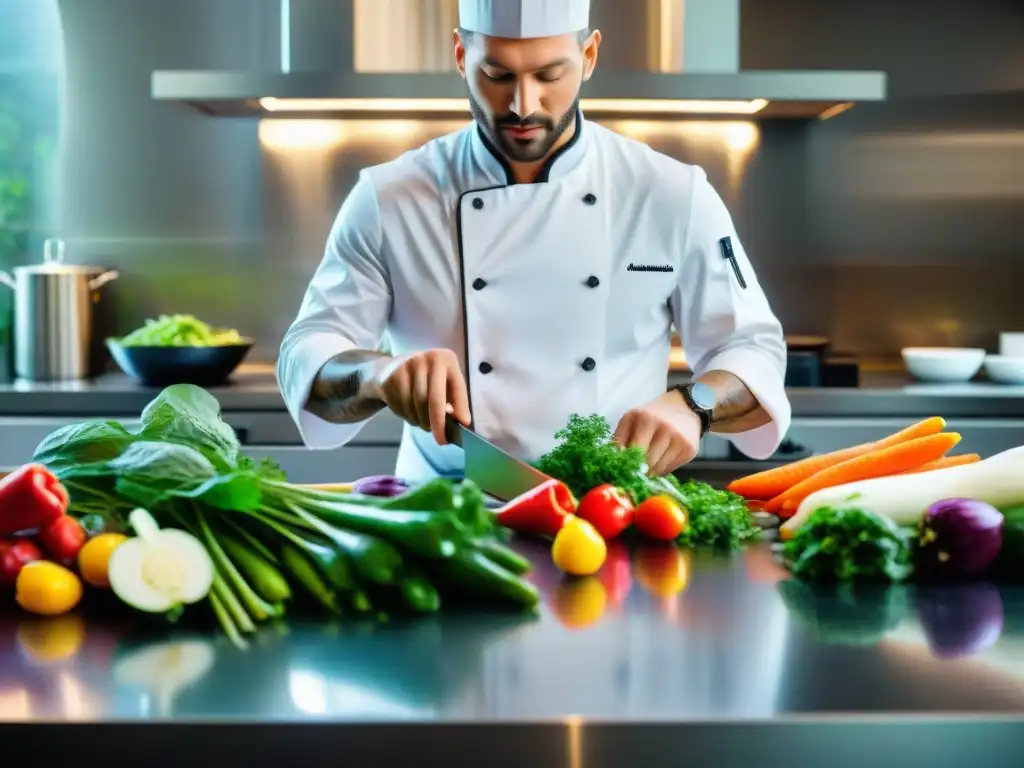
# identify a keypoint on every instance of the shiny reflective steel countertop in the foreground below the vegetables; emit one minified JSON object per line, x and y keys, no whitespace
{"x":661,"y":655}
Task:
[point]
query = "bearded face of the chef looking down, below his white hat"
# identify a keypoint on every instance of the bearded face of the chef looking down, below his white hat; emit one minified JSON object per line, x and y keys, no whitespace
{"x":524,"y":94}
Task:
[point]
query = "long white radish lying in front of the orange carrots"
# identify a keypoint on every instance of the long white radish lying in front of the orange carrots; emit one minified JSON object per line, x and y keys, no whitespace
{"x":998,"y":481}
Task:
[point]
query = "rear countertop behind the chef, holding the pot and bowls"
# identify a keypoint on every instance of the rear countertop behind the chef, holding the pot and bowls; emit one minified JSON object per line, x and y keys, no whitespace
{"x":254,"y":389}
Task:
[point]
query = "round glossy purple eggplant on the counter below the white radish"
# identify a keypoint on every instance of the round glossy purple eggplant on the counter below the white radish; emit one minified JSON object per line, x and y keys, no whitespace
{"x":959,"y":538}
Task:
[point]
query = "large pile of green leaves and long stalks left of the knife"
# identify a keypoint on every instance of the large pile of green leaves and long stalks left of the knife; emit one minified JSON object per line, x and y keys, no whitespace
{"x":346,"y":553}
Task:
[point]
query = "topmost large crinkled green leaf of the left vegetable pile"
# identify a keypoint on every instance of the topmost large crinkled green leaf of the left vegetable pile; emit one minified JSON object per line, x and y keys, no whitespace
{"x":187,"y":415}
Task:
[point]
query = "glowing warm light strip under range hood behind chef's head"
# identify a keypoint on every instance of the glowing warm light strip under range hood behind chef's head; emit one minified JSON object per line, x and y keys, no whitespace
{"x":594,"y":106}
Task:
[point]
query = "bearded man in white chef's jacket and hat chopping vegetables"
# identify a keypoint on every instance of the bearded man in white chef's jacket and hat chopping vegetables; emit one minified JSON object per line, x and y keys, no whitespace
{"x":530,"y":267}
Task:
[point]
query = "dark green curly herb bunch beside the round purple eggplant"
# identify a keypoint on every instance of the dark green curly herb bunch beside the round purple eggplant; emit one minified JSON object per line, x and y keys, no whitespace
{"x":846,"y":545}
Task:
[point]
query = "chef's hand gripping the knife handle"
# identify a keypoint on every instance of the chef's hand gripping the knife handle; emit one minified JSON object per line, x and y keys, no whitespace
{"x":423,"y":388}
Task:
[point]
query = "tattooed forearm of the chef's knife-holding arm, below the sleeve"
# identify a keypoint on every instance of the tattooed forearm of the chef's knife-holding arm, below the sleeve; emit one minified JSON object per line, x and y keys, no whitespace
{"x":343,"y":392}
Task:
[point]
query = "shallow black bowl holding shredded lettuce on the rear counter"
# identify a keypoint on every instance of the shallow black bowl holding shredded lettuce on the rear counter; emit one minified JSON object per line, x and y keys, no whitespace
{"x":162,"y":367}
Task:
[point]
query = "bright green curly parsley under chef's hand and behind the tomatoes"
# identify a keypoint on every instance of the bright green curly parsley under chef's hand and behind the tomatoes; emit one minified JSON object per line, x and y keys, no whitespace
{"x":587,"y":457}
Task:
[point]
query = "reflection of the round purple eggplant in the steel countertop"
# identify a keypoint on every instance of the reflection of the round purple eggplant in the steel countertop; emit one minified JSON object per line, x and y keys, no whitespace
{"x":960,"y":620}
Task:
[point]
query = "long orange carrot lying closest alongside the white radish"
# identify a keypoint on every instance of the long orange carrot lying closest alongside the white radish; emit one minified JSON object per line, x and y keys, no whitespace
{"x":888,"y":461}
